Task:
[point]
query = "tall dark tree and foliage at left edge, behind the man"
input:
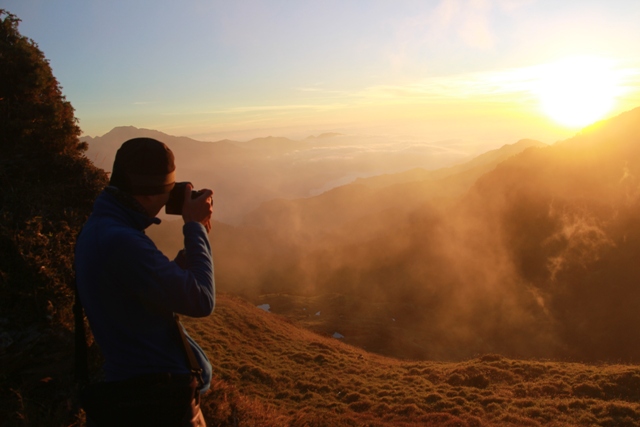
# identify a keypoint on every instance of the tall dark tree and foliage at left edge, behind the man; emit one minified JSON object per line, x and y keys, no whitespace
{"x":47,"y":188}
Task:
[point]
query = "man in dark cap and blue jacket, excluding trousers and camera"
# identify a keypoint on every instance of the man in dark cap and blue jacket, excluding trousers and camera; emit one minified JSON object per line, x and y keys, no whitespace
{"x":128,"y":288}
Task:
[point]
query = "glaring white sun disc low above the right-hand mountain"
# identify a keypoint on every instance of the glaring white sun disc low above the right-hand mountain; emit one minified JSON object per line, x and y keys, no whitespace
{"x":577,"y":91}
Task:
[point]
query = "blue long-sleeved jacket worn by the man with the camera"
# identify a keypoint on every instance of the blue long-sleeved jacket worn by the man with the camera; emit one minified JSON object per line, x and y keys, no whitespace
{"x":130,"y":291}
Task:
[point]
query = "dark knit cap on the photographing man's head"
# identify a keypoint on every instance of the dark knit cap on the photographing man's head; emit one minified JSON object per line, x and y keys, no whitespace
{"x":143,"y":166}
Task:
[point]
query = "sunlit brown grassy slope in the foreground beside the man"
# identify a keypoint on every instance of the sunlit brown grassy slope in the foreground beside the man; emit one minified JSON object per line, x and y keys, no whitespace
{"x":270,"y":371}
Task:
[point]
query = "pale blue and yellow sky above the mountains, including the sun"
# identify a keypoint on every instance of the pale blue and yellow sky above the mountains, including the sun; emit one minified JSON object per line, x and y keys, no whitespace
{"x":488,"y":72}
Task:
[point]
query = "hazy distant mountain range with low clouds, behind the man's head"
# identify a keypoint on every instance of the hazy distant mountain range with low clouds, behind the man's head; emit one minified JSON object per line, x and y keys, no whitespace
{"x":245,"y":174}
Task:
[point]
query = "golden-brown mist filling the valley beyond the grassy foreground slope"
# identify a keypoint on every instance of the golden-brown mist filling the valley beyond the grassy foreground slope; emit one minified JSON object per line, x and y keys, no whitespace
{"x":529,"y":251}
